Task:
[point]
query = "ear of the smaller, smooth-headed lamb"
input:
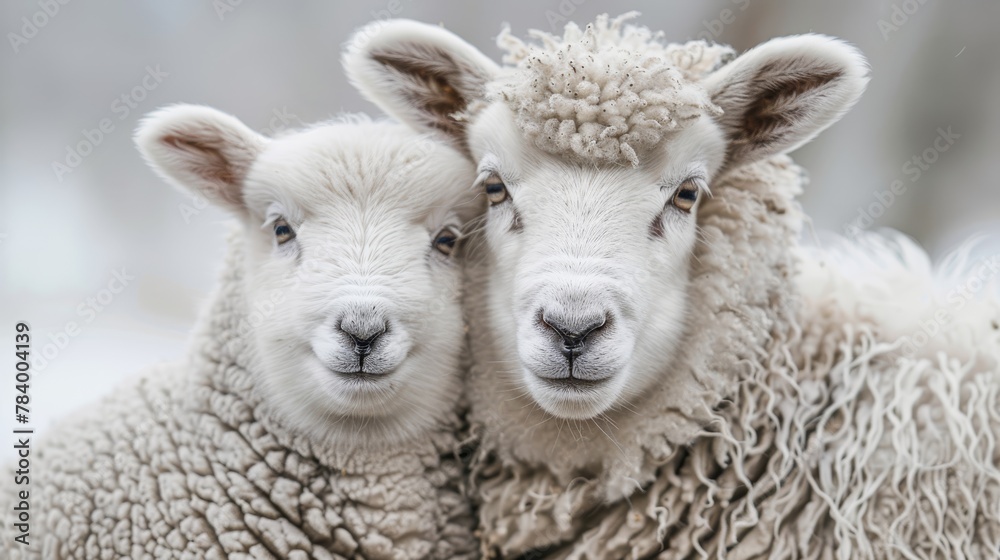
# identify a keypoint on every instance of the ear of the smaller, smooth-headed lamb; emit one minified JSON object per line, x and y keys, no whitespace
{"x":200,"y":149}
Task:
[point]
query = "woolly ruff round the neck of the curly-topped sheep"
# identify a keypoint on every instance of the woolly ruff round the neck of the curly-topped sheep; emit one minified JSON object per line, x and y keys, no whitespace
{"x":742,"y":301}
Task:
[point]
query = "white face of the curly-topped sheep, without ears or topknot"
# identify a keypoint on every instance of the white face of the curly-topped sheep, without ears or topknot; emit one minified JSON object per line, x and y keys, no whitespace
{"x":592,"y":263}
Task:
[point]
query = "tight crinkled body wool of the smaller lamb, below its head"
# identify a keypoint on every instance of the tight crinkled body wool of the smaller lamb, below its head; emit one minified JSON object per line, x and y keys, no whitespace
{"x":188,"y":462}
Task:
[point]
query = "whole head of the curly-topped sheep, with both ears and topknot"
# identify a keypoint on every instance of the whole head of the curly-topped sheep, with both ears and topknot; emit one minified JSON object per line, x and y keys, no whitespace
{"x":593,"y":150}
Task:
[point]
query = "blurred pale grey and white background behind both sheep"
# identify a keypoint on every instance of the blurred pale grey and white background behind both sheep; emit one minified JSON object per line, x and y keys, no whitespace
{"x":65,"y":231}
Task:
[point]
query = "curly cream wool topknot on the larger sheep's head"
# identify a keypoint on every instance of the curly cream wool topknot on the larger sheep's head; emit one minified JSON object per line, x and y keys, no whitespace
{"x":606,"y":94}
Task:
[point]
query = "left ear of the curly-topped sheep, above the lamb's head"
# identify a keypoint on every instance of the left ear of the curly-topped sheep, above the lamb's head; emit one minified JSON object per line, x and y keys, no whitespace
{"x":420,"y":74}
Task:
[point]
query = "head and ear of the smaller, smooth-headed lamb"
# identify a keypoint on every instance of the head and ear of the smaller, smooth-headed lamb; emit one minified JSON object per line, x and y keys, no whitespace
{"x":351,"y":287}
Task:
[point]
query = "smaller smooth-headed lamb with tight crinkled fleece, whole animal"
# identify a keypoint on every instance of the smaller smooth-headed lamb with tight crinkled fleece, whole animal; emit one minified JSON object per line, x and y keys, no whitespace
{"x":315,"y":416}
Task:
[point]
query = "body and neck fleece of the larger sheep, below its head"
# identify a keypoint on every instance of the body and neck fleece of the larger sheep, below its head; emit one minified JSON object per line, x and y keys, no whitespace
{"x":825,"y":434}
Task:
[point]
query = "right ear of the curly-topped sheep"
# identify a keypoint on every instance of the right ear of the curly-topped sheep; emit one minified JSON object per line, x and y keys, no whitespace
{"x":782,"y":93}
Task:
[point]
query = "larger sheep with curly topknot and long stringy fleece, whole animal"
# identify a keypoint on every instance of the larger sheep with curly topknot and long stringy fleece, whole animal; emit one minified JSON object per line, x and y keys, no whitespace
{"x":660,"y":367}
